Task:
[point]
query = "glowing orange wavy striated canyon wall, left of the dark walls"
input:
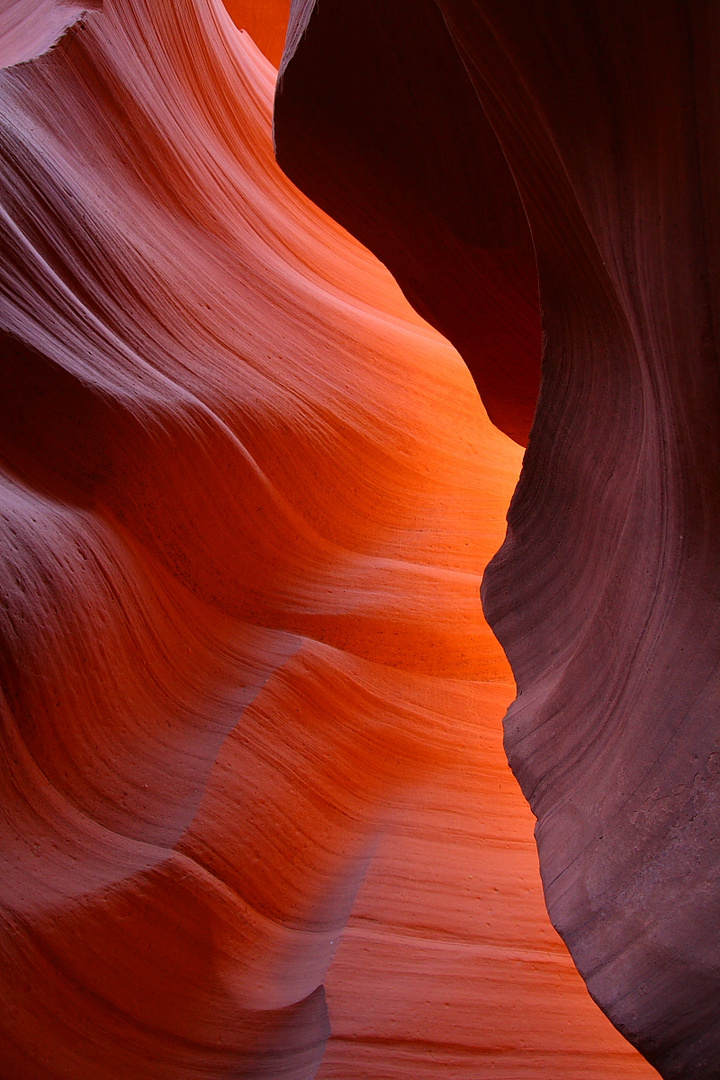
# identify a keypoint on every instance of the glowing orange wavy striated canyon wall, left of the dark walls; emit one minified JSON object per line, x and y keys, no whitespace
{"x":248,"y":497}
